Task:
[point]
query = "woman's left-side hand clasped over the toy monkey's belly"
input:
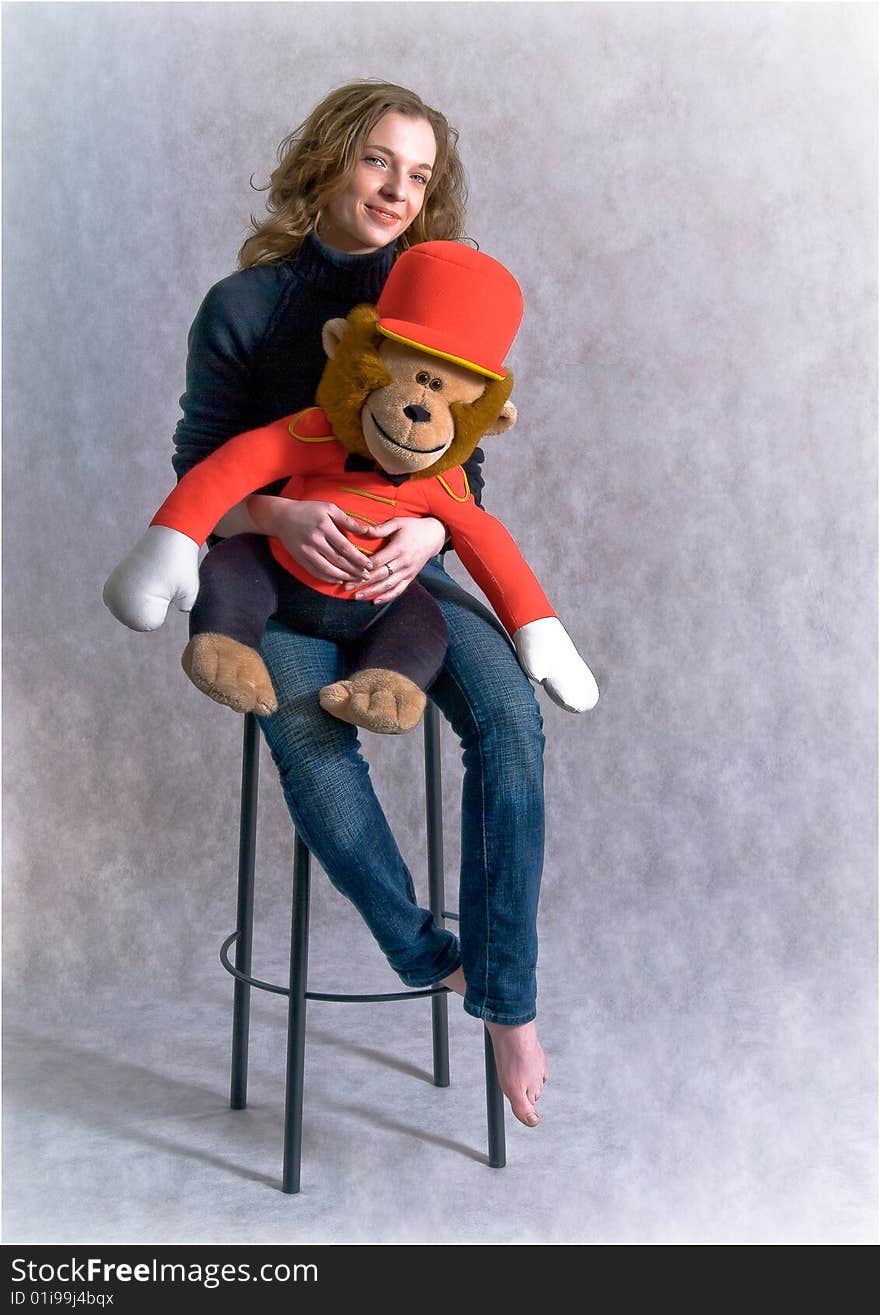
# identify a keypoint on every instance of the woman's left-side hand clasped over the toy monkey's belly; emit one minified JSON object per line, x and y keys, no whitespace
{"x":312,"y":535}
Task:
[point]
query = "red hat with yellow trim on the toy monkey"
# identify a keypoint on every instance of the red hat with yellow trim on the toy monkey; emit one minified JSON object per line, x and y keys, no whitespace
{"x":453,"y":302}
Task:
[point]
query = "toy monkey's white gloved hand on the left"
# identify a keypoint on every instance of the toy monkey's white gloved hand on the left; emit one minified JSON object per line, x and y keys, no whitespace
{"x":161,"y":569}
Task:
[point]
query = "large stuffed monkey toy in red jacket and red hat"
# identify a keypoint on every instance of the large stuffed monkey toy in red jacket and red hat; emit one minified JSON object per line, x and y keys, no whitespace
{"x":408,"y":391}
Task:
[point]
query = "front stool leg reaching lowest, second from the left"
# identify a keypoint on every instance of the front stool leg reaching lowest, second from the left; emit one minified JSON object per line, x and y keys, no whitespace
{"x":297,"y":1020}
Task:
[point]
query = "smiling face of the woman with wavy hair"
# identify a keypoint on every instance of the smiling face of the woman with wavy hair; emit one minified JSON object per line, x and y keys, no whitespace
{"x":387,"y":190}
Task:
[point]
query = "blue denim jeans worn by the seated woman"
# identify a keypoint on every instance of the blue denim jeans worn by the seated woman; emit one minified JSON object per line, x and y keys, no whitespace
{"x":487,"y":699}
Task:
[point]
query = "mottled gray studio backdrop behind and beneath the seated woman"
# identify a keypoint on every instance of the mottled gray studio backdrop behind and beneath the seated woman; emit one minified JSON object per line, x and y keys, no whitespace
{"x":689,"y":198}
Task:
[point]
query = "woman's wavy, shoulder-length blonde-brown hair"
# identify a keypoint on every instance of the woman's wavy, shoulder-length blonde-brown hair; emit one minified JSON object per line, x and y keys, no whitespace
{"x":316,"y":161}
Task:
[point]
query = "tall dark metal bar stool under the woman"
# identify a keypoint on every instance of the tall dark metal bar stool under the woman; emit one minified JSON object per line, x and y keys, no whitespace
{"x":297,"y":991}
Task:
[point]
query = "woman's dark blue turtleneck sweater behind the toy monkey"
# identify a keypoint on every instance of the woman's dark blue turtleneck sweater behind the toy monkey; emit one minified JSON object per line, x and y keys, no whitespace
{"x":255,"y":348}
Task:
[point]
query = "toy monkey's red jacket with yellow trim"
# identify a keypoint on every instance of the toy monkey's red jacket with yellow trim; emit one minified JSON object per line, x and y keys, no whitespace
{"x":303,"y":448}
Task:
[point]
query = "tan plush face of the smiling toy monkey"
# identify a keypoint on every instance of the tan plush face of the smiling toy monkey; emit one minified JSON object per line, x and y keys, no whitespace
{"x":408,"y":425}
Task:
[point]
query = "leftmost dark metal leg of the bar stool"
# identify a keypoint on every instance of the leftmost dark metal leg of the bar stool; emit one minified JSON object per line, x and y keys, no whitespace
{"x":245,"y":911}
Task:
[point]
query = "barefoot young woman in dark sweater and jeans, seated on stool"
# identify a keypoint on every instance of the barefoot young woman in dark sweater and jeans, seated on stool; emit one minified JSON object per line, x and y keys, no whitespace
{"x":372,"y":172}
